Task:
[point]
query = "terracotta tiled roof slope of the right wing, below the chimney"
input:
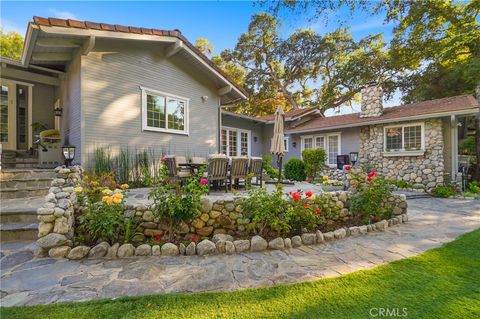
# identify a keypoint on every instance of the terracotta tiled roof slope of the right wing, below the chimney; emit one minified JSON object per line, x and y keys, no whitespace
{"x":432,"y":107}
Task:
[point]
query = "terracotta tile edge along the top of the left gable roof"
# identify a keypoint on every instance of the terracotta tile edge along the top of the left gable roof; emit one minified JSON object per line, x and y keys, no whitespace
{"x":118,"y":28}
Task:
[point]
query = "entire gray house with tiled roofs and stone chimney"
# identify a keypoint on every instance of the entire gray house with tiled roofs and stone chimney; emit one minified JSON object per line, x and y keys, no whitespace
{"x":115,"y":86}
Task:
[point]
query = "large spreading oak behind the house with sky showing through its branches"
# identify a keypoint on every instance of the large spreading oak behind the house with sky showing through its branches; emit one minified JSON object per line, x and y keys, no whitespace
{"x":306,"y":69}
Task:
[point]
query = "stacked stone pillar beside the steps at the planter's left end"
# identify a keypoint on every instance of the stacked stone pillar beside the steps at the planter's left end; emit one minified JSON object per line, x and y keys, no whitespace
{"x":56,"y":217}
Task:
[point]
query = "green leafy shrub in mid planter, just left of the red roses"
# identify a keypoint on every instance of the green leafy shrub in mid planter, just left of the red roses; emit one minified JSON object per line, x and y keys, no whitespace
{"x":267,"y":211}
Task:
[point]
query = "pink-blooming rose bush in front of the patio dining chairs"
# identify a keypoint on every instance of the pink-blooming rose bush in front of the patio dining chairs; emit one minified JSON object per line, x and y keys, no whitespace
{"x":174,"y":201}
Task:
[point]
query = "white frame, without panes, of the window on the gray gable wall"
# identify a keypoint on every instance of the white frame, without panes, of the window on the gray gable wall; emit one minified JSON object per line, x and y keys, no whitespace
{"x":145,"y":127}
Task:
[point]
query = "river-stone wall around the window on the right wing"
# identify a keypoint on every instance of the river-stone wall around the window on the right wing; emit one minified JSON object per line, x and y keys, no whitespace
{"x":426,"y":169}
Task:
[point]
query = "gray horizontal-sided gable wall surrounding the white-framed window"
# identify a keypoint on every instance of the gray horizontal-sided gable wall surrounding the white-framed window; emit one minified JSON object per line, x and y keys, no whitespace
{"x":112,"y":109}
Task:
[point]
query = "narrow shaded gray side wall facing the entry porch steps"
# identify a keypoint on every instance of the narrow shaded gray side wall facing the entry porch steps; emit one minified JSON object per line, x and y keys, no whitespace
{"x":71,"y":102}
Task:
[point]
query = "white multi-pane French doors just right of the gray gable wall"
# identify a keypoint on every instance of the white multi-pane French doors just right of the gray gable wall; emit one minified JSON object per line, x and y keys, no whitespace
{"x":235,"y":142}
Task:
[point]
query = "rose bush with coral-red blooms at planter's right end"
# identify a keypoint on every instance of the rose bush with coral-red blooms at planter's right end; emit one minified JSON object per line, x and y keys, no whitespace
{"x":370,"y":196}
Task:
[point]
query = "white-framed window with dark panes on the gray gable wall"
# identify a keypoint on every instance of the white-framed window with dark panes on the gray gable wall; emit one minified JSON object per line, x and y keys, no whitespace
{"x":164,"y":112}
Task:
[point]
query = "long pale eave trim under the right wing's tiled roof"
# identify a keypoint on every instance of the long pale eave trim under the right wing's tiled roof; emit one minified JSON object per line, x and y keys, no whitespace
{"x":401,"y":119}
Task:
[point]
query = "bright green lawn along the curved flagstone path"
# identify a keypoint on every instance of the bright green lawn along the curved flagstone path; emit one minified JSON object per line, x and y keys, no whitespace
{"x":441,"y":283}
